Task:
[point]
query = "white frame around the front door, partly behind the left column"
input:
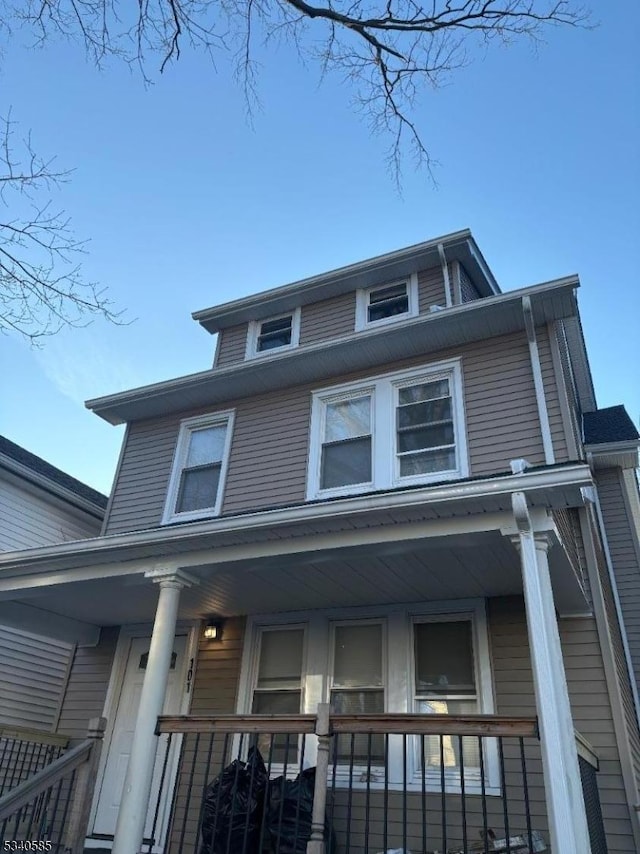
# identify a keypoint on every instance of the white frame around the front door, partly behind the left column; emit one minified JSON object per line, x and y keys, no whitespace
{"x":128,"y":633}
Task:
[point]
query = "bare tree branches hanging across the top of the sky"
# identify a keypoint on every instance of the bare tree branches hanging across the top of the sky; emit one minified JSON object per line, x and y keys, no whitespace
{"x":387,"y":50}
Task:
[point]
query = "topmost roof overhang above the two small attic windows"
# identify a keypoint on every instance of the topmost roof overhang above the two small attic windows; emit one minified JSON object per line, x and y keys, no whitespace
{"x":459,"y":246}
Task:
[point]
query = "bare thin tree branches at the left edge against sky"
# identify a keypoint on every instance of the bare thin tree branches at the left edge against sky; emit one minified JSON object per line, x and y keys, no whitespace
{"x":41,"y":286}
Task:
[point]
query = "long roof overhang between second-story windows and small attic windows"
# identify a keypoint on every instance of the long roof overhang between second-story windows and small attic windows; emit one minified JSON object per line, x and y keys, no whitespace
{"x":455,"y":326}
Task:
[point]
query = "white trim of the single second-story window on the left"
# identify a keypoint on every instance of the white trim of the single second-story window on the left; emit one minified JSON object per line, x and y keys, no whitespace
{"x":182,"y":447}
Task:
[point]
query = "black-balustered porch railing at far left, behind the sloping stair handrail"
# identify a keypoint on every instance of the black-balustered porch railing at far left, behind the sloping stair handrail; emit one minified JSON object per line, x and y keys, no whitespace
{"x":24,"y":752}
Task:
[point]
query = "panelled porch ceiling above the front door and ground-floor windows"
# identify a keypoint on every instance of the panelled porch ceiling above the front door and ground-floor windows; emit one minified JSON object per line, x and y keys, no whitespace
{"x":471,"y":565}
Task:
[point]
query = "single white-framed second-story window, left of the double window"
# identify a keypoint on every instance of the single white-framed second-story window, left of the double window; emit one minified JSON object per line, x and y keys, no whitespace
{"x":199,"y":468}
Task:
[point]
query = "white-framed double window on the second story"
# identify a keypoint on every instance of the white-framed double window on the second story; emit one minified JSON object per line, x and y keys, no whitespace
{"x":401,"y":428}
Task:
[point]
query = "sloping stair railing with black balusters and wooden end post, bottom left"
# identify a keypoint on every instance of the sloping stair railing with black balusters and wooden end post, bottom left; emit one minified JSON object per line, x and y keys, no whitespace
{"x":50,"y":808}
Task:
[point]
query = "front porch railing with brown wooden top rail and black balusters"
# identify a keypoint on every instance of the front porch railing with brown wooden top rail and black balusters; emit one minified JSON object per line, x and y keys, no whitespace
{"x":425,"y":783}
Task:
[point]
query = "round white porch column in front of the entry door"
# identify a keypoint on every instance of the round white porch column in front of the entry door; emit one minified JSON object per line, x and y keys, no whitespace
{"x":137,"y":785}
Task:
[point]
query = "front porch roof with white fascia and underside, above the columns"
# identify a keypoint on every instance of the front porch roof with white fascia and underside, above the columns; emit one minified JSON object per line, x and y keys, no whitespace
{"x":411,"y":545}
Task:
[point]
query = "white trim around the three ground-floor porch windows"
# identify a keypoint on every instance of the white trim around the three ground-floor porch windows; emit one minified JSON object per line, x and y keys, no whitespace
{"x":398,"y":663}
